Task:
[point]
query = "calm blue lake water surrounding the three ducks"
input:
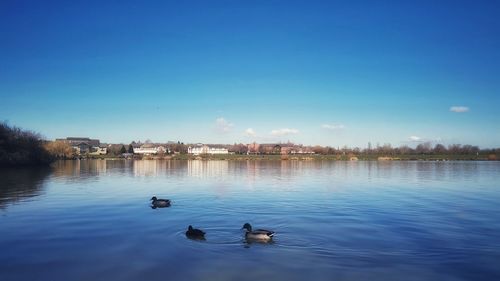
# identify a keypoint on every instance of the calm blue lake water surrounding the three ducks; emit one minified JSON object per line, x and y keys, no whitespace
{"x":91,"y":220}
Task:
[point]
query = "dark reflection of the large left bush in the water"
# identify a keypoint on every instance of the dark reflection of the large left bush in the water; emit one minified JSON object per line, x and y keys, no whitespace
{"x":17,"y":184}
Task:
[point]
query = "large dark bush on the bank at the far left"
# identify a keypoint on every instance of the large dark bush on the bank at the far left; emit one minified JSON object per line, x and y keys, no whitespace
{"x":21,"y":147}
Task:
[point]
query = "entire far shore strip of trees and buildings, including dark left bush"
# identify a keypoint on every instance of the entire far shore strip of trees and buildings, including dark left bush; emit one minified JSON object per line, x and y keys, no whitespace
{"x":22,"y":147}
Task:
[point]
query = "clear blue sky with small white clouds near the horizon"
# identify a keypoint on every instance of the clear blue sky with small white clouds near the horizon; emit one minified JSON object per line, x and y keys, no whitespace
{"x":311,"y":72}
